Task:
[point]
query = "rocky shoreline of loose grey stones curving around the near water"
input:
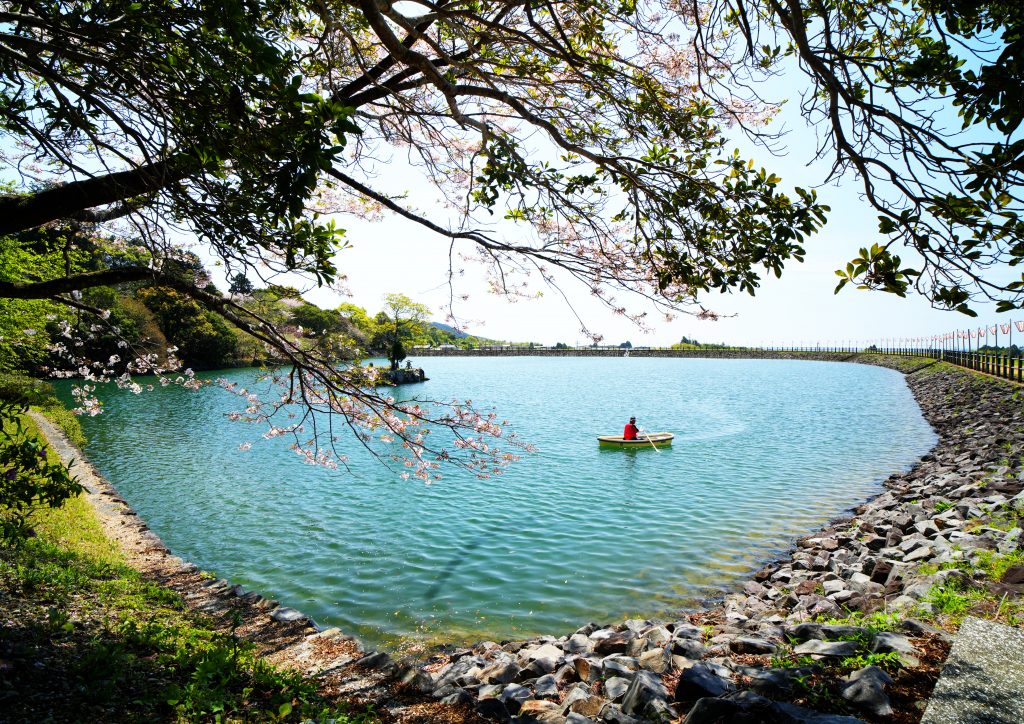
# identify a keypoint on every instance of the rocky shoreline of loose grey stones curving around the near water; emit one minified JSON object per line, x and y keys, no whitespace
{"x":762,"y":655}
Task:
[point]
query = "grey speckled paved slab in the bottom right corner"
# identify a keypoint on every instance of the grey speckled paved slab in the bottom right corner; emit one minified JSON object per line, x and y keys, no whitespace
{"x":983,"y":682}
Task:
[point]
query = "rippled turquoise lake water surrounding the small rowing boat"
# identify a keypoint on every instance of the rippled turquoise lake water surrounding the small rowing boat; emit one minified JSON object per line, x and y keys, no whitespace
{"x":765,"y":451}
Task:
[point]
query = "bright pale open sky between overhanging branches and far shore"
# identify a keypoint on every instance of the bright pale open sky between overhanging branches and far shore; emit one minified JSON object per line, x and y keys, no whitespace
{"x":800,"y":309}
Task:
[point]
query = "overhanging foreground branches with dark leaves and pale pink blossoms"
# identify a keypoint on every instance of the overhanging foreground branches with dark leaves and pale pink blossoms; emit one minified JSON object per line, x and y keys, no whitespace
{"x":601,"y":129}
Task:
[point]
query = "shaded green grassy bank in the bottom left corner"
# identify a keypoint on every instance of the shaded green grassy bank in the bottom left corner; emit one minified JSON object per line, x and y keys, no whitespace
{"x":83,"y":637}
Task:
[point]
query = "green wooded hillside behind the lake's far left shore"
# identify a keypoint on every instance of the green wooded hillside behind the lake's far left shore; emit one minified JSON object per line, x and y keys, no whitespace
{"x":144,"y":319}
